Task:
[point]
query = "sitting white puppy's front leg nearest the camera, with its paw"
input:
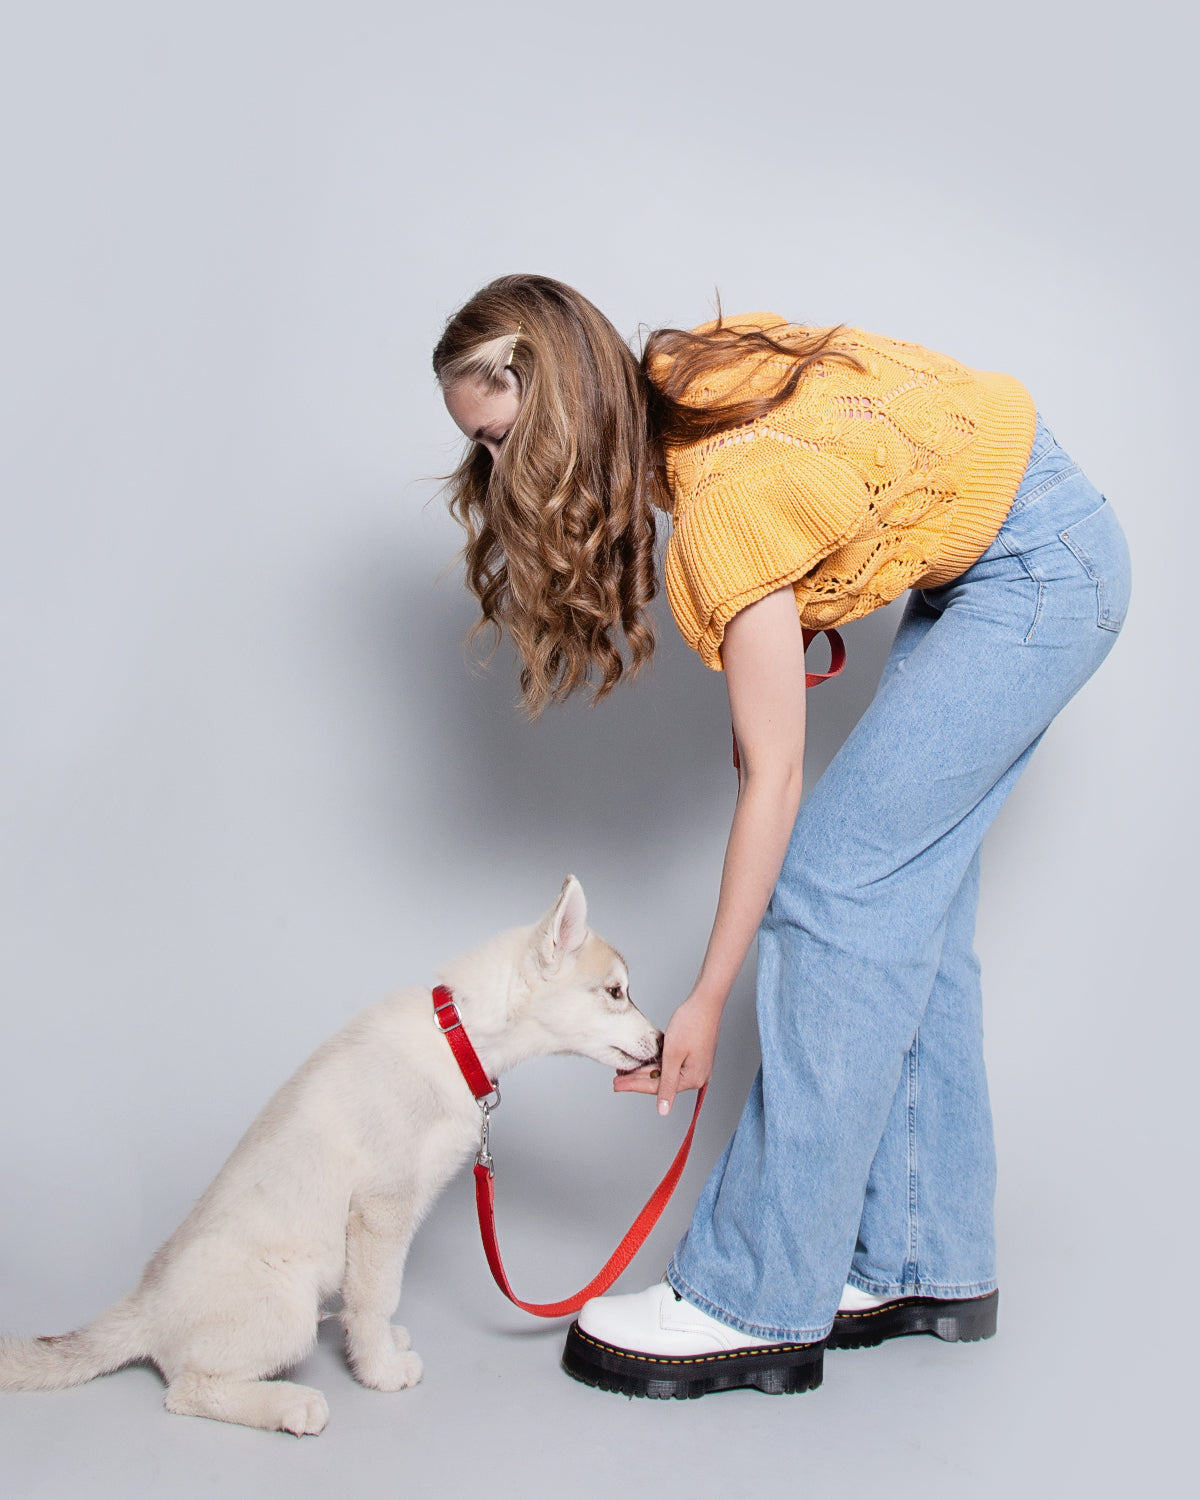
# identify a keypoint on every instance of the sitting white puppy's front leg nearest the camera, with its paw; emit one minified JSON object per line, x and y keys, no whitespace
{"x":379,"y":1232}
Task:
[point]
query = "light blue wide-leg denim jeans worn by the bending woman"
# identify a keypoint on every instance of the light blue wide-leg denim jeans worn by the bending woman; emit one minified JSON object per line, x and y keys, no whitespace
{"x":865,"y":1151}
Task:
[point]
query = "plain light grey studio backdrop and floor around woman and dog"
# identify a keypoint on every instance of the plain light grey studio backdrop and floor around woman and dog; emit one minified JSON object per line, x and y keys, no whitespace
{"x":250,"y":782}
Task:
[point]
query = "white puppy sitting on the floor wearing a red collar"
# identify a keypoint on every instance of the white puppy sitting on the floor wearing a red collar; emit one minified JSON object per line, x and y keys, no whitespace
{"x":328,"y":1187}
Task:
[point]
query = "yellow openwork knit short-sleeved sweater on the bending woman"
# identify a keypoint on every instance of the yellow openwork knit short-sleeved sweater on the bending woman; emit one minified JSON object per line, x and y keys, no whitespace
{"x":862,"y":485}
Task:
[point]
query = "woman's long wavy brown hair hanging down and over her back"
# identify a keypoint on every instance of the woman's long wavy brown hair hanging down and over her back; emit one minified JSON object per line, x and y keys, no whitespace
{"x":562,"y":527}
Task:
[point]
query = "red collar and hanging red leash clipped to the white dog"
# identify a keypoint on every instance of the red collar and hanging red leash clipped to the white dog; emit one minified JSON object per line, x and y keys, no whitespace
{"x":488,"y":1097}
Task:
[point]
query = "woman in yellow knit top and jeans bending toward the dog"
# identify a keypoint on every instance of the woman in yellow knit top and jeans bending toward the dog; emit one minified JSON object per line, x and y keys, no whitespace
{"x":812,"y":476}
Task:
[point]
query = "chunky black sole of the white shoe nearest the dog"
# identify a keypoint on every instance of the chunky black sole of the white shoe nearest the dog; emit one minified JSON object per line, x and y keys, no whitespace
{"x":775,"y":1369}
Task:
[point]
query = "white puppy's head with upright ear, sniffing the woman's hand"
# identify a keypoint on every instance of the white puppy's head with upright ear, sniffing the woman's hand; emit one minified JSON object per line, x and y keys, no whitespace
{"x":577,"y":991}
